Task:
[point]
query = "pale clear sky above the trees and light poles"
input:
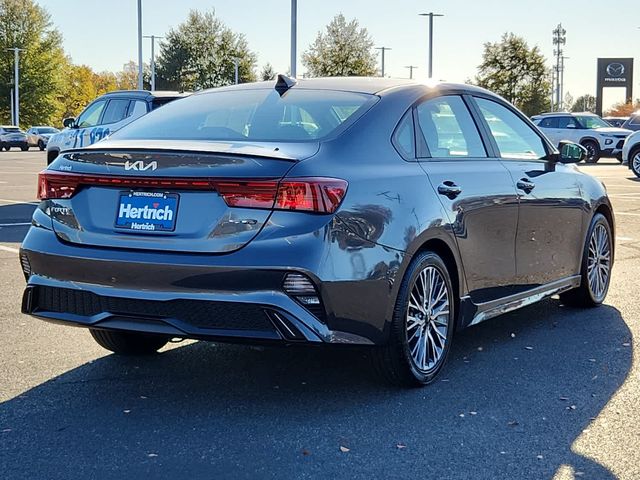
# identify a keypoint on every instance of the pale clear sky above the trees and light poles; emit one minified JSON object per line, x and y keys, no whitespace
{"x":102,"y":34}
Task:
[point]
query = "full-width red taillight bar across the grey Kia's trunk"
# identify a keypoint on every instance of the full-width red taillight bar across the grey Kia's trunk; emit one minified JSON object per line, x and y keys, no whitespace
{"x":314,"y":194}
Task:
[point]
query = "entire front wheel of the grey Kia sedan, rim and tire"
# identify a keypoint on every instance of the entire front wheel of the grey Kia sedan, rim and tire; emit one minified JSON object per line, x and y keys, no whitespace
{"x":597,"y":260}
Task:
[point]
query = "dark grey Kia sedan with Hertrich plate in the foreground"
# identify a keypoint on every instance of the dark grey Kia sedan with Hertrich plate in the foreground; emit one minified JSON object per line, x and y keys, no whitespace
{"x":358,"y":211}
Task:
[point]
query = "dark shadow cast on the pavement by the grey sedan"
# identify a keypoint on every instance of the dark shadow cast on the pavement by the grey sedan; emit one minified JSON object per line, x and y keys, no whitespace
{"x":517,"y":392}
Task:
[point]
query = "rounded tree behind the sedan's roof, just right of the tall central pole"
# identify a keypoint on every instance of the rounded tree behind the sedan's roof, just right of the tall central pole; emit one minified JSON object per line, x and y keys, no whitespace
{"x":343,"y":50}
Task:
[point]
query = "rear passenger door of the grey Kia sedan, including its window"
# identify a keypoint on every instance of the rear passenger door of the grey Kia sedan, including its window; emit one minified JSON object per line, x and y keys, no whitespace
{"x":476,"y":191}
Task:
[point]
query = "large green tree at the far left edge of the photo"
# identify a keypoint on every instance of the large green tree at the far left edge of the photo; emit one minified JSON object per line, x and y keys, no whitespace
{"x":26,"y":25}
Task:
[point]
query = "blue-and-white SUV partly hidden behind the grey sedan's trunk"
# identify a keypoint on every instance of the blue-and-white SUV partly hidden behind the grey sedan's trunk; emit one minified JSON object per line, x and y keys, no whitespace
{"x":105,"y":115}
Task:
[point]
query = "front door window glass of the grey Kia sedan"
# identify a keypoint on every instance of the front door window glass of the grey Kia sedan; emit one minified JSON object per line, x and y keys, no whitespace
{"x":515,"y":139}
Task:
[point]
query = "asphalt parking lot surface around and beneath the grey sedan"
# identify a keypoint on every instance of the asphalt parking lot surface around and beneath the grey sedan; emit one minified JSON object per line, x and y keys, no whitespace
{"x":546,"y":392}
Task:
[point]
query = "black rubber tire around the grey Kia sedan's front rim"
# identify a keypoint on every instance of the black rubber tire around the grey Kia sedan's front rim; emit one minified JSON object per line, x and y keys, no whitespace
{"x":583,"y":296}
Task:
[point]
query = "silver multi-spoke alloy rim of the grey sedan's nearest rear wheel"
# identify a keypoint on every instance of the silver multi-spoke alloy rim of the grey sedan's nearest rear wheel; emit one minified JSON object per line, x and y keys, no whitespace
{"x":427,"y":321}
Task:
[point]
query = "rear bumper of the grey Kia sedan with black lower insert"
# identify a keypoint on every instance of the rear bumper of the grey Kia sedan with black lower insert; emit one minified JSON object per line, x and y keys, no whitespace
{"x":207,"y":297}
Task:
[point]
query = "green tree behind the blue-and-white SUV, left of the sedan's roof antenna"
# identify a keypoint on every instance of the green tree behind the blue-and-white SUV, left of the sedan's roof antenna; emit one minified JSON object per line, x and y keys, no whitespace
{"x":201,"y":52}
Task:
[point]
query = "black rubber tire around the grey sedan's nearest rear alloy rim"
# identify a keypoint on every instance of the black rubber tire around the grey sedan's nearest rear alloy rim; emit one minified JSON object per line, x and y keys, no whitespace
{"x":394,"y":361}
